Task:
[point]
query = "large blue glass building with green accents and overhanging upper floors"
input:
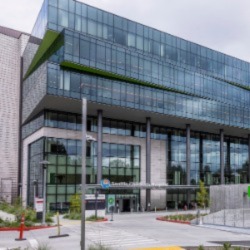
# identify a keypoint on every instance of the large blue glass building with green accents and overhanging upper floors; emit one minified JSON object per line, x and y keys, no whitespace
{"x":162,"y":109}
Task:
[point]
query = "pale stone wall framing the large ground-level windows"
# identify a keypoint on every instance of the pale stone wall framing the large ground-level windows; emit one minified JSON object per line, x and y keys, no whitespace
{"x":158,"y":159}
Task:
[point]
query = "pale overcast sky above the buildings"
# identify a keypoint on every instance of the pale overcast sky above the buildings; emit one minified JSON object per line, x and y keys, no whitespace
{"x":222,"y":25}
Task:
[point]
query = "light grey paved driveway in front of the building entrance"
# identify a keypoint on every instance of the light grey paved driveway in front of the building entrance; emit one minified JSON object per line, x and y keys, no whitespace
{"x":127,"y":231}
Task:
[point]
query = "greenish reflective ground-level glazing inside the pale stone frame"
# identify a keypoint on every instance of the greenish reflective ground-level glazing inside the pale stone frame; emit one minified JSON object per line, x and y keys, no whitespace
{"x":121,"y":163}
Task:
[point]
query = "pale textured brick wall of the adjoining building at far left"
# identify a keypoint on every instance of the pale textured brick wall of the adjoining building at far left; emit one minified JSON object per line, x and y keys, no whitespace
{"x":11,"y":50}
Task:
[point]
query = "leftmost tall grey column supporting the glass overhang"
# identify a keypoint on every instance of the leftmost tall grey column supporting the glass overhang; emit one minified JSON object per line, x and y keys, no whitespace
{"x":99,"y":146}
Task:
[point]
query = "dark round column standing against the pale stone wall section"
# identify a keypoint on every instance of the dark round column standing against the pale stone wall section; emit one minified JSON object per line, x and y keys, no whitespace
{"x":148,"y":161}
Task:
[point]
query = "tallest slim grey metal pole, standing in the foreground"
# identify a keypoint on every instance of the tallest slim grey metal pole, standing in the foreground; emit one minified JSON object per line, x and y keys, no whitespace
{"x":85,"y":138}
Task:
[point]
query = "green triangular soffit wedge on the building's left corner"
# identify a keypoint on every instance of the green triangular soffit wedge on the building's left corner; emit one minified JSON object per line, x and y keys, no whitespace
{"x":43,"y":51}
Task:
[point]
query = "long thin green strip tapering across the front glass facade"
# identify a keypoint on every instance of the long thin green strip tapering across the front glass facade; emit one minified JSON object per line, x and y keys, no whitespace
{"x":110,"y":75}
